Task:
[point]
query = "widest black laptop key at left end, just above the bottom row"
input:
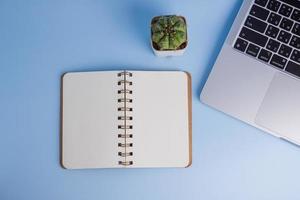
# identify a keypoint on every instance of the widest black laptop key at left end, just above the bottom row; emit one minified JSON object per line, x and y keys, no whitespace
{"x":253,"y":37}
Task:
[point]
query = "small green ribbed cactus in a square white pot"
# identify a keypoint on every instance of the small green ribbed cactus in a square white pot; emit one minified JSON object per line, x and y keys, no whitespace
{"x":168,"y":35}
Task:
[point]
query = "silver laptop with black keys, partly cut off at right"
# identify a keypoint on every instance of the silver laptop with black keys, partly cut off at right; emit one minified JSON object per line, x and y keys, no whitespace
{"x":256,"y":77}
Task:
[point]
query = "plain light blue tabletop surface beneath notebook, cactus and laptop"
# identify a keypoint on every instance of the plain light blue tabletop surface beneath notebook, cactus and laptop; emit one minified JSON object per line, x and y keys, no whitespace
{"x":40,"y":40}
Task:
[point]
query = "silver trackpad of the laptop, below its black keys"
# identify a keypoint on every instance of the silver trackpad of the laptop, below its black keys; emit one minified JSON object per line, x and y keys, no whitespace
{"x":280,"y":109}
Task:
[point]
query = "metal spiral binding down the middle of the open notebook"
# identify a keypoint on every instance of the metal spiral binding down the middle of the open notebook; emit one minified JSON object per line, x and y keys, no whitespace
{"x":125,"y":110}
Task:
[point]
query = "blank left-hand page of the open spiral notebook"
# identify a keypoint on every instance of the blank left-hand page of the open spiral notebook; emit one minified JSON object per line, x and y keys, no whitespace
{"x":89,"y":120}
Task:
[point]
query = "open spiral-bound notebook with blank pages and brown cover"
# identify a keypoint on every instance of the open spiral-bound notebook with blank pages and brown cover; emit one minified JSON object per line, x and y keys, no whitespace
{"x":131,"y":119}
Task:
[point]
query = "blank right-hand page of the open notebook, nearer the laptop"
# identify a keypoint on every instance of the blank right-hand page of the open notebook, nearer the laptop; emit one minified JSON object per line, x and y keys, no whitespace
{"x":161,"y":119}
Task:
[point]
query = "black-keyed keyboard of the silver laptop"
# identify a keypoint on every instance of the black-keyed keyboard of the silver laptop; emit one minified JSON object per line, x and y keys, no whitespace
{"x":271,"y":34}
